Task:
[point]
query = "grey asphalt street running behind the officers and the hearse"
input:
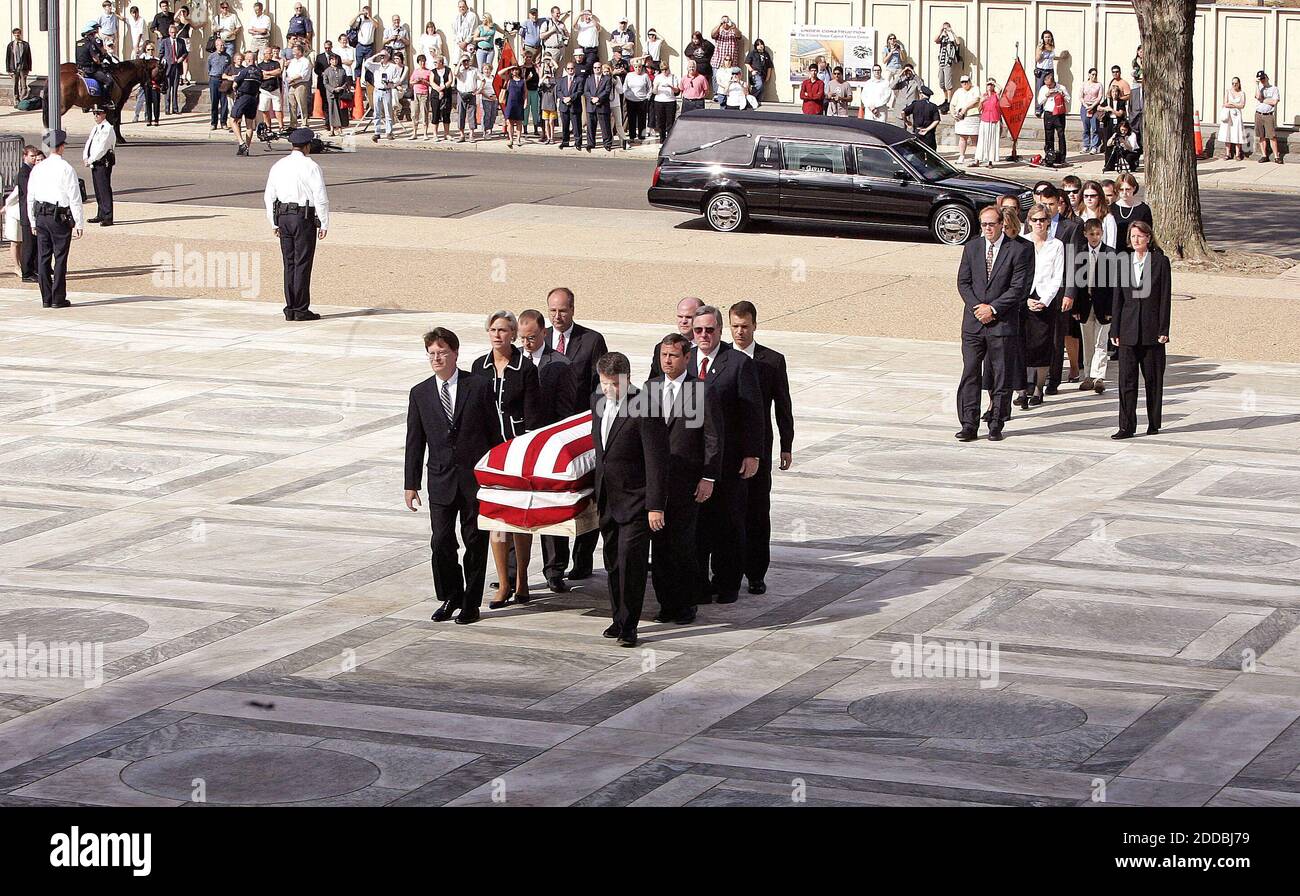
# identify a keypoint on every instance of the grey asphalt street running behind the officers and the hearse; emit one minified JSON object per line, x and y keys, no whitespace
{"x":458,"y":184}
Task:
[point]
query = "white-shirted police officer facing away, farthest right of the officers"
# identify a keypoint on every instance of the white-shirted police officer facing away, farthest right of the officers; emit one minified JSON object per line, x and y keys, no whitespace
{"x":298,"y":207}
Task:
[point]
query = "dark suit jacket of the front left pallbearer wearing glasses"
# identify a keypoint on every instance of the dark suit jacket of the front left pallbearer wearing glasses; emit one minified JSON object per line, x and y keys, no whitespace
{"x":453,"y":449}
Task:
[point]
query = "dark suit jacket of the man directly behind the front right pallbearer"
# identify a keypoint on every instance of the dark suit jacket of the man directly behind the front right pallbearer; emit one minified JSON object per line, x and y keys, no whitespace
{"x":695,"y":452}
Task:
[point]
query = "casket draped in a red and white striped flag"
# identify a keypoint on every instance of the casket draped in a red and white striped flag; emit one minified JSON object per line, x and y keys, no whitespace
{"x":540,"y":482}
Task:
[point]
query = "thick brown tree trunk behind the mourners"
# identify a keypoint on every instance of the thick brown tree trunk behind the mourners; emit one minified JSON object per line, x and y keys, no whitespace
{"x":1167,"y":29}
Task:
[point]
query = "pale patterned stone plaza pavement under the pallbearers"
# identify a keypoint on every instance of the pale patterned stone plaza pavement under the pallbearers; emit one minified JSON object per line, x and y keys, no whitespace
{"x":215,"y":497}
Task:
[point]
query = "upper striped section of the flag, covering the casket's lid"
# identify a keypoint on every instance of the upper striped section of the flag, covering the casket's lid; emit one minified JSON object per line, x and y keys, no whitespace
{"x":557,"y":458}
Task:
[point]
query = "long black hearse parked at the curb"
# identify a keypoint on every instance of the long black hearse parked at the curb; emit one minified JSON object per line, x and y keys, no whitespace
{"x":733,"y":167}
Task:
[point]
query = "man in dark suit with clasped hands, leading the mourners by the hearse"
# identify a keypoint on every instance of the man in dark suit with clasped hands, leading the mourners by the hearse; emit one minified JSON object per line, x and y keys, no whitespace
{"x":993,"y":280}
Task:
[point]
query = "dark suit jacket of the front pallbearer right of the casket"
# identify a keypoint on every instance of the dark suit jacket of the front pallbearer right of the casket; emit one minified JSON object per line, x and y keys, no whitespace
{"x":631,"y":471}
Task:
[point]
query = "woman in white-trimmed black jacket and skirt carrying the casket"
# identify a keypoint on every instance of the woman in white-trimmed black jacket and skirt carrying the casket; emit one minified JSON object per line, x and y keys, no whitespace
{"x":519,"y":408}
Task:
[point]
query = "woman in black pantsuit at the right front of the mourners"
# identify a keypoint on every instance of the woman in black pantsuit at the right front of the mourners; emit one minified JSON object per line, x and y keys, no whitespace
{"x":1141,"y":328}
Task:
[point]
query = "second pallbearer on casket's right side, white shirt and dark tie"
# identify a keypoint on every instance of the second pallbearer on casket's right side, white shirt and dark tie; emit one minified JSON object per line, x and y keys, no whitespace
{"x":694,"y":421}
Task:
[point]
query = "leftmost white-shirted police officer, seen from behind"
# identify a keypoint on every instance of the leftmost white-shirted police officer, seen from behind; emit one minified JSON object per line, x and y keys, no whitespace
{"x":54,"y":209}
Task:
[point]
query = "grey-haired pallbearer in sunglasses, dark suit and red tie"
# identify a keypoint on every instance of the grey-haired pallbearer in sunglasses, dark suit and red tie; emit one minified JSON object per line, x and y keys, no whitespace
{"x":734,"y":379}
